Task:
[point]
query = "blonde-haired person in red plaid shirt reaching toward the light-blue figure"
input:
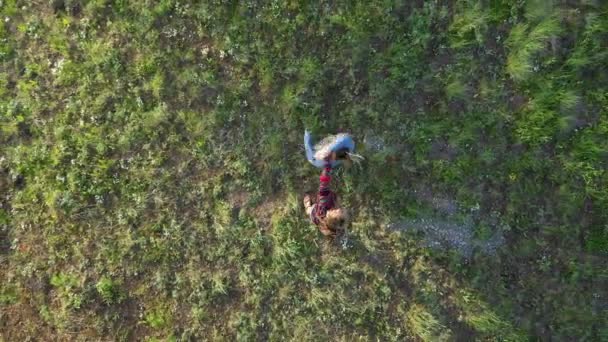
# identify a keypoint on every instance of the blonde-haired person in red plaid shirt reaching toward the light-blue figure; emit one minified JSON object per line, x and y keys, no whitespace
{"x":324,"y":212}
